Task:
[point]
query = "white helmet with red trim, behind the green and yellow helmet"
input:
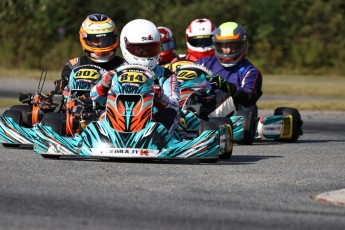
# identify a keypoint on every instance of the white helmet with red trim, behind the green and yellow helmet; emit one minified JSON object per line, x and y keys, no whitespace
{"x":199,"y":35}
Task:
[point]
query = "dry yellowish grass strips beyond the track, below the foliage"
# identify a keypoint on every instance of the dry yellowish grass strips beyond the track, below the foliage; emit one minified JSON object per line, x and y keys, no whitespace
{"x":301,"y":92}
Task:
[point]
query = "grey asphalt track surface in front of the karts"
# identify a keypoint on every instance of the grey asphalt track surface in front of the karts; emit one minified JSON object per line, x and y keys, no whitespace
{"x":268,"y":185}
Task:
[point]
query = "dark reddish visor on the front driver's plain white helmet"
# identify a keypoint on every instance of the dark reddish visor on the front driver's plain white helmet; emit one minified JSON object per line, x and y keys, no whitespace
{"x":144,"y":49}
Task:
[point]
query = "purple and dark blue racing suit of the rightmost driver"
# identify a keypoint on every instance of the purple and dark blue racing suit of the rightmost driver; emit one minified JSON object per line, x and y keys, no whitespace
{"x":245,"y":78}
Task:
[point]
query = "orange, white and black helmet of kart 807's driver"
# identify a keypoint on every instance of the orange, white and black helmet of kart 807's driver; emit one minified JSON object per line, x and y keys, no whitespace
{"x":99,"y":37}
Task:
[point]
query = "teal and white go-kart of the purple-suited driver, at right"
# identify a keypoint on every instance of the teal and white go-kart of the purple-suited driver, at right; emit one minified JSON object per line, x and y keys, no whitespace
{"x":284,"y":125}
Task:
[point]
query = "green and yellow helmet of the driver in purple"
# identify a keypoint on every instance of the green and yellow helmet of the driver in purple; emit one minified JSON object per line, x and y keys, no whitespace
{"x":231,"y":44}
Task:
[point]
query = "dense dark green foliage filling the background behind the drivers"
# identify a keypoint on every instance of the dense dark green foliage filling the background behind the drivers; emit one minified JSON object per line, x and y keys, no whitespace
{"x":300,"y":36}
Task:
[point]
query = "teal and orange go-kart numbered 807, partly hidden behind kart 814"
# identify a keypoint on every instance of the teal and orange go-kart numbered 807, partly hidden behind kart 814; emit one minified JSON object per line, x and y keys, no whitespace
{"x":68,"y":111}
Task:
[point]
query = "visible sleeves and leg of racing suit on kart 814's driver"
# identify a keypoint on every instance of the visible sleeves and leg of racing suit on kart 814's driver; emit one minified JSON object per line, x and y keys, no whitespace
{"x":166,"y":99}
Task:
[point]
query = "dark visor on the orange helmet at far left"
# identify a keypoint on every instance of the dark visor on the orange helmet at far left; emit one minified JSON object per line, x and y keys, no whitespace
{"x":101,"y":40}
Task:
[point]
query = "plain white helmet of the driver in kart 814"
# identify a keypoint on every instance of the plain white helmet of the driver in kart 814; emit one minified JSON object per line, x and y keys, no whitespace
{"x":140,"y":43}
